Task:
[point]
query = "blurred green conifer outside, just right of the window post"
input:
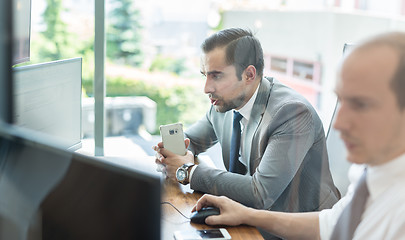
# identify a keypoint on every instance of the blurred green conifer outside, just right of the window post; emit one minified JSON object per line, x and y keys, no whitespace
{"x":124,"y":33}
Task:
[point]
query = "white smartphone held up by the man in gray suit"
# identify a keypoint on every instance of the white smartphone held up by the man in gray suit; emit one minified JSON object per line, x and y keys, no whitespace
{"x":173,"y":138}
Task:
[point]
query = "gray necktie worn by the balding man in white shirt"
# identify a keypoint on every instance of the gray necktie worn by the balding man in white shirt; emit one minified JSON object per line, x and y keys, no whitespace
{"x":351,"y":214}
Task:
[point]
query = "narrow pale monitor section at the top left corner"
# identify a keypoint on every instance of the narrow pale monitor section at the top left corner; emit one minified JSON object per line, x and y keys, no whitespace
{"x":21,"y":30}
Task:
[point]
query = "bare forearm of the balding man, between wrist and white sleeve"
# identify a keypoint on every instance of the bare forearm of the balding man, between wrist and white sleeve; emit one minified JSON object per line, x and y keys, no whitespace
{"x":285,"y":225}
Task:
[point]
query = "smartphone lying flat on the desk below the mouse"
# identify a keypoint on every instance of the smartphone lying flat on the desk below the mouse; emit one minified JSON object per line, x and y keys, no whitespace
{"x":212,"y":234}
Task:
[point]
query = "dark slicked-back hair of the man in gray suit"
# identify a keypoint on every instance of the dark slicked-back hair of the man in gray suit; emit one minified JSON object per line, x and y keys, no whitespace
{"x":241,"y":47}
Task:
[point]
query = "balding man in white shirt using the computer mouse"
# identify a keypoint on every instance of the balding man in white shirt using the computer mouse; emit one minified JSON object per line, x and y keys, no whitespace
{"x":371,"y":121}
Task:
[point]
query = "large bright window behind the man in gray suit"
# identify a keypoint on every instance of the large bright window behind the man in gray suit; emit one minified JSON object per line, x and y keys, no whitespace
{"x":152,"y":65}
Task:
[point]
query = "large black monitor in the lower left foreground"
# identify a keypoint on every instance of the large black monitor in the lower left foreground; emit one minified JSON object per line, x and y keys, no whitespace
{"x":47,"y":192}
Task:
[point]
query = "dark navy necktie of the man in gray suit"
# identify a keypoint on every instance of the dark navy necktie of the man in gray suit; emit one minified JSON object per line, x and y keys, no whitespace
{"x":235,"y":165}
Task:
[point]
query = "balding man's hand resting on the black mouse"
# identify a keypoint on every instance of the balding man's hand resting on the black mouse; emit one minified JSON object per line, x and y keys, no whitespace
{"x":232,"y":213}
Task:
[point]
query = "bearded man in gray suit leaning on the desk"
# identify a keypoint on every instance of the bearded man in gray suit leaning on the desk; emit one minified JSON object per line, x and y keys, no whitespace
{"x":283,"y":158}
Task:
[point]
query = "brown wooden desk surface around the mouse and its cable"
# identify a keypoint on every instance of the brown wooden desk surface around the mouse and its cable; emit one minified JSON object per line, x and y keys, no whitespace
{"x":183,"y":198}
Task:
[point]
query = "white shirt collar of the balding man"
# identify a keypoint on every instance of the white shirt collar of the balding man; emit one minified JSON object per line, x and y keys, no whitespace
{"x":381,"y":177}
